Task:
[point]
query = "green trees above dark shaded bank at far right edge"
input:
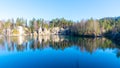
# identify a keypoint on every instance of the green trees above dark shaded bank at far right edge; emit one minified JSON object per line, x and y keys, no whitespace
{"x":112,"y":27}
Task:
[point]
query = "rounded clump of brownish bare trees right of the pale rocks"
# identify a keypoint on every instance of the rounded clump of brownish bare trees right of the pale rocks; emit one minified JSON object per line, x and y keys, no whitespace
{"x":86,"y":28}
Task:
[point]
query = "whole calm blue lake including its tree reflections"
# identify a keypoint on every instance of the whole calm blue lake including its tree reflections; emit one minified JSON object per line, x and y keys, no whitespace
{"x":58,"y":52}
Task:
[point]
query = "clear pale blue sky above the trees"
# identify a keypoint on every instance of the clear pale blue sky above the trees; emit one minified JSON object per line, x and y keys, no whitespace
{"x":50,"y":9}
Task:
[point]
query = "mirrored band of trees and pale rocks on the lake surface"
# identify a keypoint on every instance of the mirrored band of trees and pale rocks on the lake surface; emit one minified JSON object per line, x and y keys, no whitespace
{"x":22,"y":43}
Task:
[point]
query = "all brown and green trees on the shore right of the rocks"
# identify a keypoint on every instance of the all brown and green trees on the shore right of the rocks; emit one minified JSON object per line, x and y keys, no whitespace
{"x":109,"y":27}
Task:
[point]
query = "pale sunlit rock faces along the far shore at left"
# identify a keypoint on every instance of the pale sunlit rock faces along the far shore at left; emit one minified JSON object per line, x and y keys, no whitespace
{"x":21,"y":31}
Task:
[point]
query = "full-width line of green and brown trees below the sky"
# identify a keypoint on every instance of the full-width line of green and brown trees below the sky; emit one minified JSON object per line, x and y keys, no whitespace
{"x":91,"y":27}
